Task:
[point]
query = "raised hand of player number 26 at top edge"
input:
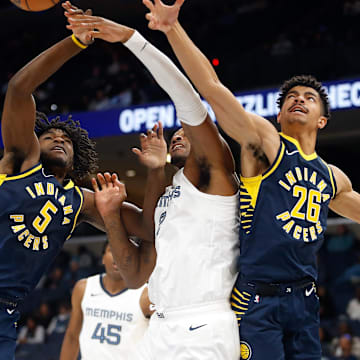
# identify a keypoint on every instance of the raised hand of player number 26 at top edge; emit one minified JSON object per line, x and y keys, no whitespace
{"x":162,"y":17}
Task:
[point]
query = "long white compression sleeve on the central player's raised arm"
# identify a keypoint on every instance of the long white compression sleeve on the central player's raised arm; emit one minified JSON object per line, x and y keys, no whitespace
{"x":189,"y":107}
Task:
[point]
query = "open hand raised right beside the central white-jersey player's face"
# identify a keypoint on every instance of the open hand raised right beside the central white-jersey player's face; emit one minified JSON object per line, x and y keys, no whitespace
{"x":153,"y":148}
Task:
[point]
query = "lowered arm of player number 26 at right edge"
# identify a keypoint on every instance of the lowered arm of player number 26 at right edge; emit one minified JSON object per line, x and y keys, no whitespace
{"x":347,"y":201}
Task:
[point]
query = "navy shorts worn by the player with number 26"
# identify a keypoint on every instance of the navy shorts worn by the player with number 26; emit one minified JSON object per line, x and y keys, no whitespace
{"x":280,"y":326}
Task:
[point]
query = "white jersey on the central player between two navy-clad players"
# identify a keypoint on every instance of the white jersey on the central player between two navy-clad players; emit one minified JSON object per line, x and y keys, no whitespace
{"x":197,"y":245}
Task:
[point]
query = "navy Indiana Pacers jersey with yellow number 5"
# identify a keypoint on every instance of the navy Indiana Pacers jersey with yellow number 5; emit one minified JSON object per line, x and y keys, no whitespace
{"x":37,"y":214}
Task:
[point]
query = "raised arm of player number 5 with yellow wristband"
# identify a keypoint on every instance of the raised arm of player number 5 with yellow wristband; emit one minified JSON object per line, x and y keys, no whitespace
{"x":21,"y":145}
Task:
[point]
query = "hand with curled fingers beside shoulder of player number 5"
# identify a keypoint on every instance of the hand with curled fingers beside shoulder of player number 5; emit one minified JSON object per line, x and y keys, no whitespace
{"x":110,"y":193}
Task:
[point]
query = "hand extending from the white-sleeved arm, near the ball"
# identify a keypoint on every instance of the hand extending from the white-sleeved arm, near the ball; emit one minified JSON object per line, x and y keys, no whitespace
{"x":96,"y":26}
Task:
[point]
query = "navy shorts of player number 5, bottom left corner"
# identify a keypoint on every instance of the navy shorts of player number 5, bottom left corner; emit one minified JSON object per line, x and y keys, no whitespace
{"x":8,"y":332}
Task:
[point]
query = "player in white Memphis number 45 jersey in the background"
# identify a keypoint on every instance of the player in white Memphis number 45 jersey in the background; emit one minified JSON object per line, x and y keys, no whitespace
{"x":107,"y":319}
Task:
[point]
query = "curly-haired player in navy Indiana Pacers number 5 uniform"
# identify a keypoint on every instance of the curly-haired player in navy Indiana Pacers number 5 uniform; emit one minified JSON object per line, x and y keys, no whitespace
{"x":39,"y":203}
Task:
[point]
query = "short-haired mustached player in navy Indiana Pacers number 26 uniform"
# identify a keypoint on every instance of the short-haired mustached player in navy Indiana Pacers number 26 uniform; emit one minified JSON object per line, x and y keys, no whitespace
{"x":286,"y":190}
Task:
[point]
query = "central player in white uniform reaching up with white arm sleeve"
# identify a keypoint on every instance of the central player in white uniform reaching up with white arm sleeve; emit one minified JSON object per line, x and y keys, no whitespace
{"x":196,"y":235}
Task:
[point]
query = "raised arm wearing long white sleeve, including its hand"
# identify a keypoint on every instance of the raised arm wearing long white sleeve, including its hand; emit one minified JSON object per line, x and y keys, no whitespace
{"x":199,"y":128}
